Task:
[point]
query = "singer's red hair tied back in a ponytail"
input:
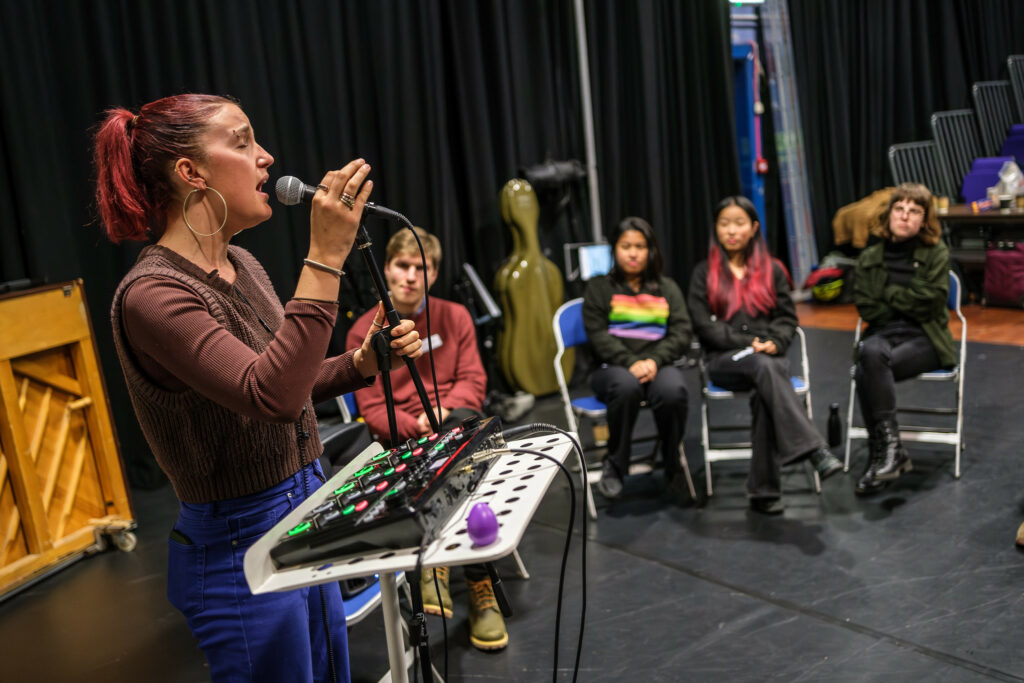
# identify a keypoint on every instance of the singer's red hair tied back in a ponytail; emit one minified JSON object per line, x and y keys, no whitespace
{"x":135,"y":158}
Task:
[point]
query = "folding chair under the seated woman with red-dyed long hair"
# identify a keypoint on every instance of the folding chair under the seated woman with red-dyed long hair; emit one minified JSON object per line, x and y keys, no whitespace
{"x":719,"y":451}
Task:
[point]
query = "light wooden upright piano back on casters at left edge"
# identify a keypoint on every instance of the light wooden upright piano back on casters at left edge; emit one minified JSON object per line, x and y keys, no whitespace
{"x":62,"y":479}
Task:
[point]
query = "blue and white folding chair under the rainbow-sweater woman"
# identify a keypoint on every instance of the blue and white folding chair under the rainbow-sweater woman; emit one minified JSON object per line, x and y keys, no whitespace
{"x":570,"y":332}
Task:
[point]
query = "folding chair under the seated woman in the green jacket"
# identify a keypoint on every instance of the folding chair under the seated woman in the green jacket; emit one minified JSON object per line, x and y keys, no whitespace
{"x":951,"y":436}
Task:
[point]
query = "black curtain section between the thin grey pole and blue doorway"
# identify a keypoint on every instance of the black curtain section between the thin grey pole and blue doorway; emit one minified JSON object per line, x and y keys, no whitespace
{"x":662,"y":75}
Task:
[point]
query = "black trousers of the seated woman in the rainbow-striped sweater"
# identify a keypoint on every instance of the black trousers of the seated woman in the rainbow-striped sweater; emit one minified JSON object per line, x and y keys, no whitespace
{"x":666,"y":396}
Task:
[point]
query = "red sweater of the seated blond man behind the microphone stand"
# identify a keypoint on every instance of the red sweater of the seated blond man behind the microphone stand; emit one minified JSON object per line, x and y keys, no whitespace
{"x":461,"y":379}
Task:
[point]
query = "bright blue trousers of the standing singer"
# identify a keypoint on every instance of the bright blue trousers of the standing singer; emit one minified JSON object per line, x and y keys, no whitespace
{"x":272,"y":637}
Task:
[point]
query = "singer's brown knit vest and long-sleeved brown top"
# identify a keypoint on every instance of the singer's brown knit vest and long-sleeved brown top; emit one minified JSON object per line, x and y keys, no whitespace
{"x":222,"y":376}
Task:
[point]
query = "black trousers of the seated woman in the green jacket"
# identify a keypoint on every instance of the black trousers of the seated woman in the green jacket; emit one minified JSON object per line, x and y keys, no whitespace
{"x":893,"y":354}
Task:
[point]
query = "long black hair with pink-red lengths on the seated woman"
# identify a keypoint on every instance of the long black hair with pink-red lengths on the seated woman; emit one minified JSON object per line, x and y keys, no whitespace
{"x":756,"y":292}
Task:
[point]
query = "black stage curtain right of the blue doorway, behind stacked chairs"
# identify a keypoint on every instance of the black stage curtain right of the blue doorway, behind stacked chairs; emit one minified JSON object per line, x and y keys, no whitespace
{"x":871,"y":73}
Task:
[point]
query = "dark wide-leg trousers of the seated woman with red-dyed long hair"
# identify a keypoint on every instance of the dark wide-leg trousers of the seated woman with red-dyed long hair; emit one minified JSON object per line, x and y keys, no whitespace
{"x":781,"y":431}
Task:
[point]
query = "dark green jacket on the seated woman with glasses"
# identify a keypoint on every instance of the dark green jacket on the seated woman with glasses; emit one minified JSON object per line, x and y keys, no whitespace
{"x":924,"y":301}
